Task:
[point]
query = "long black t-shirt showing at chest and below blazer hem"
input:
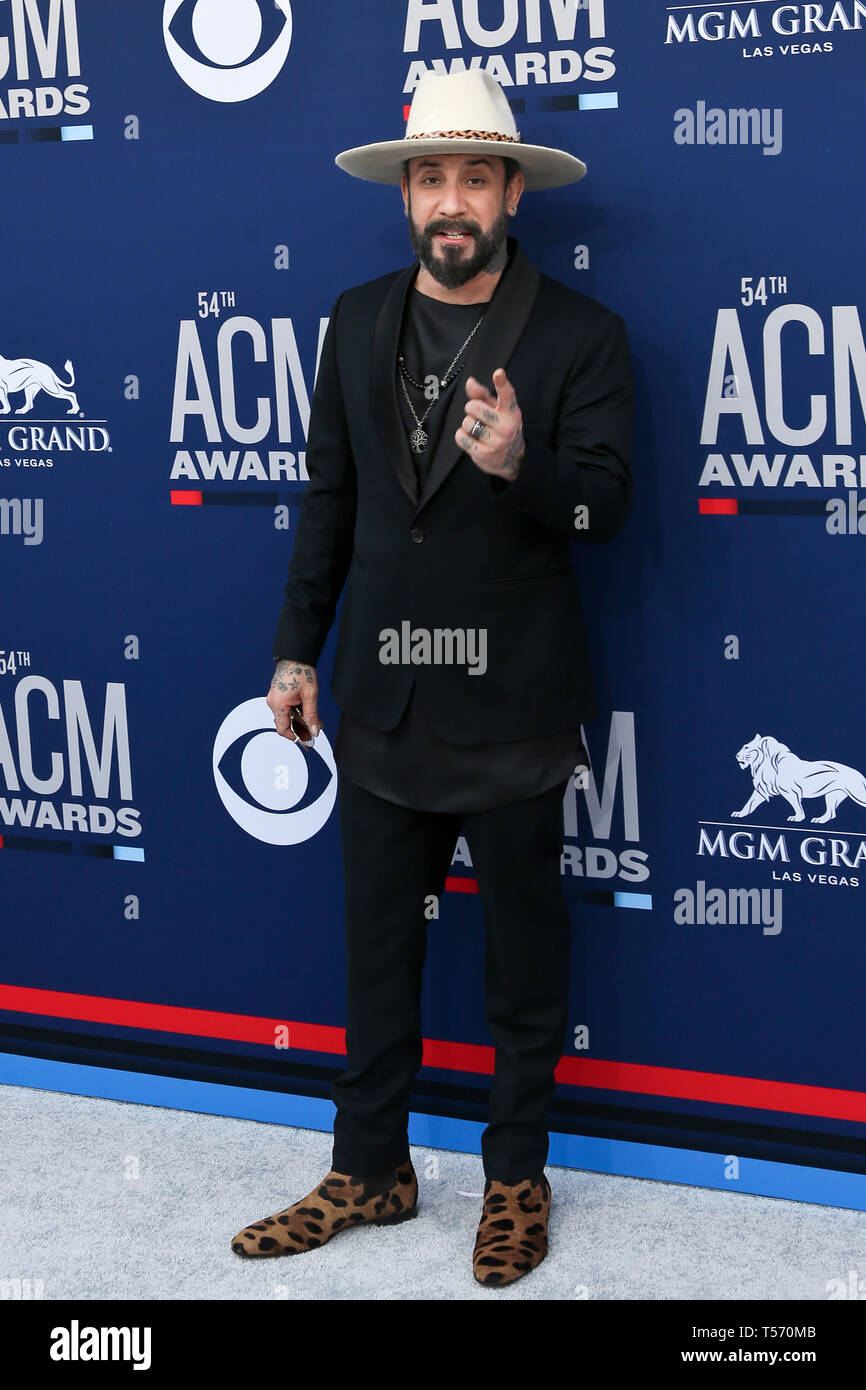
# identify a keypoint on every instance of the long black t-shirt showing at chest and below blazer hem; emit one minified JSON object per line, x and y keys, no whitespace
{"x":411,"y":764}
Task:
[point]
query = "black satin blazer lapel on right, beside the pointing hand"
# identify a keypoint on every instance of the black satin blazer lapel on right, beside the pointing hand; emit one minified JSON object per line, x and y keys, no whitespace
{"x":491,"y":348}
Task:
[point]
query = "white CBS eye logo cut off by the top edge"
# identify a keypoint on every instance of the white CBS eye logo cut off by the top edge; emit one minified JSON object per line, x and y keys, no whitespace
{"x":244,"y":45}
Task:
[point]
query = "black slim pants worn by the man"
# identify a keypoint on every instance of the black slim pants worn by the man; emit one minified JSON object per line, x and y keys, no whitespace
{"x":394,"y":858}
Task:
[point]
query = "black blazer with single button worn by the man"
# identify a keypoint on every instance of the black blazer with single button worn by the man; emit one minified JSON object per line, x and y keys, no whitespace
{"x":472,"y":551}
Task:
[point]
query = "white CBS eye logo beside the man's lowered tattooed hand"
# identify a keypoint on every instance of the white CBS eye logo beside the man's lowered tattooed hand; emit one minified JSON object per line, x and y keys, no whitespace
{"x":290,"y":792}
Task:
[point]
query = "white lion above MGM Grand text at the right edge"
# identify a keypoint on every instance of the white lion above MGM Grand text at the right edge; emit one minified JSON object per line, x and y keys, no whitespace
{"x":778,"y":772}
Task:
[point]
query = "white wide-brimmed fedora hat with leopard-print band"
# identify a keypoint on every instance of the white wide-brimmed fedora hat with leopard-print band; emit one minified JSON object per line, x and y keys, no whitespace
{"x":462,"y":113}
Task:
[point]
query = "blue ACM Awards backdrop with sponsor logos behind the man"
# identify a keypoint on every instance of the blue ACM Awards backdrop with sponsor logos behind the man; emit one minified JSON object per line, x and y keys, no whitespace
{"x":176,"y":233}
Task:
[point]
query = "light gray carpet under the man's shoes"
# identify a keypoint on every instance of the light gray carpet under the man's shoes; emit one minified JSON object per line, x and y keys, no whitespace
{"x":115,"y":1200}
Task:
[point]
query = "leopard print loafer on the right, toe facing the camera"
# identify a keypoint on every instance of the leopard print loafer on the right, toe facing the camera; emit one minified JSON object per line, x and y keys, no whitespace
{"x":514,"y":1231}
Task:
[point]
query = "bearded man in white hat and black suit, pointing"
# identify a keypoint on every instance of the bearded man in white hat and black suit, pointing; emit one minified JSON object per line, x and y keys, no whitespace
{"x":471,"y":420}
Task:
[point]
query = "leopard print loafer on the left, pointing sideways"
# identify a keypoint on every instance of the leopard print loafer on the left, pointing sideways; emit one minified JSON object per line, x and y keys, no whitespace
{"x":338,"y":1203}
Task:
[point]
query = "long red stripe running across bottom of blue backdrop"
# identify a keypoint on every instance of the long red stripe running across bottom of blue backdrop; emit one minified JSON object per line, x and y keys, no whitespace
{"x":755,"y":1093}
